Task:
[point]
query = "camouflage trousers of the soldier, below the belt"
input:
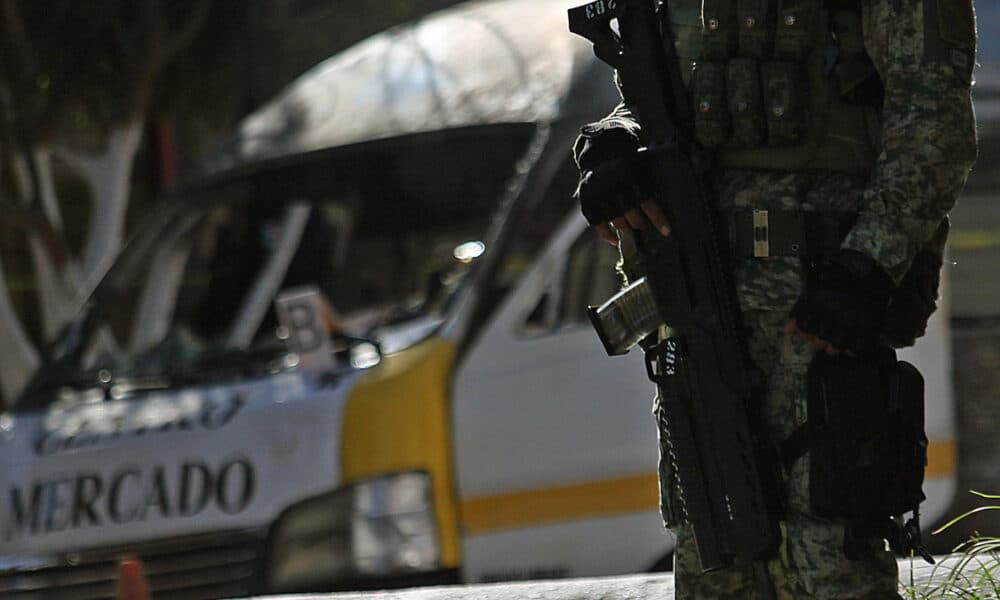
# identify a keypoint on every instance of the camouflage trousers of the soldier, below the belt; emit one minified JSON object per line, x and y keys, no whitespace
{"x":810,"y":562}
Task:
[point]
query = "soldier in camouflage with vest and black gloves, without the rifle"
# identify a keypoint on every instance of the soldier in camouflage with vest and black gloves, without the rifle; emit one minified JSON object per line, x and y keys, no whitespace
{"x":872,"y":129}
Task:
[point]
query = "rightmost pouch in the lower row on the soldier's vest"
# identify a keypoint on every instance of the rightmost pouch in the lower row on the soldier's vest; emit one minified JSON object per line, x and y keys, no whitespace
{"x":785,"y":95}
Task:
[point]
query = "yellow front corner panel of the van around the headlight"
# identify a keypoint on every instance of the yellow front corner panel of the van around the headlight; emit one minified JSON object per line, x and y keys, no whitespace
{"x":398,"y":419}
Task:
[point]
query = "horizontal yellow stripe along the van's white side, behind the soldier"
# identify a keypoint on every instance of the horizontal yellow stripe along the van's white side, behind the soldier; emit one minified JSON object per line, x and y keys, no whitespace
{"x":610,"y":497}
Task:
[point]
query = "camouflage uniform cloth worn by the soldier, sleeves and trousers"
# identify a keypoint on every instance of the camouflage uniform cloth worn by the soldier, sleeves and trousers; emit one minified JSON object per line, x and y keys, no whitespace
{"x":923,"y":51}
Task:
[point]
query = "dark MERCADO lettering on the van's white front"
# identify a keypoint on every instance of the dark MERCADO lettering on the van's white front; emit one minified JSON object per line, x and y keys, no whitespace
{"x":129,"y":495}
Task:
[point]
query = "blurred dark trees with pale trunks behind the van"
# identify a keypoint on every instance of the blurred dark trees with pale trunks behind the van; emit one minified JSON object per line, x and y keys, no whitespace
{"x":94,"y":93}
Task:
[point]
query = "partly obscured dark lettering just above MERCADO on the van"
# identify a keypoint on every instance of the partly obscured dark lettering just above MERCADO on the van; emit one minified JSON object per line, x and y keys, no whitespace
{"x":180,"y":413}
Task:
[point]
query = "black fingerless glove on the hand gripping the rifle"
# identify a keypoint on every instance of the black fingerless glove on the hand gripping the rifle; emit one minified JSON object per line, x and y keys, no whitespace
{"x":616,"y":190}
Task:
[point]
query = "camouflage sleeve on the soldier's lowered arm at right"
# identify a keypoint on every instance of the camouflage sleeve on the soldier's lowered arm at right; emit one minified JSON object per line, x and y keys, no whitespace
{"x":924,"y":51}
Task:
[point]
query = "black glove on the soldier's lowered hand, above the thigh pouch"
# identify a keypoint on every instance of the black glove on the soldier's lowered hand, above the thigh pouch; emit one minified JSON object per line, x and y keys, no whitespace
{"x":844,"y":301}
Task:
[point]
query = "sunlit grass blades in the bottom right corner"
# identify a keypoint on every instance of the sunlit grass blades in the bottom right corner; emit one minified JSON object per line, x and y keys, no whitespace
{"x":971,"y":573}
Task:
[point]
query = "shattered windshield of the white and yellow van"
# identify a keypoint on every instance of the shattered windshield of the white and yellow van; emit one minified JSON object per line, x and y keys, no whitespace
{"x":386,"y":233}
